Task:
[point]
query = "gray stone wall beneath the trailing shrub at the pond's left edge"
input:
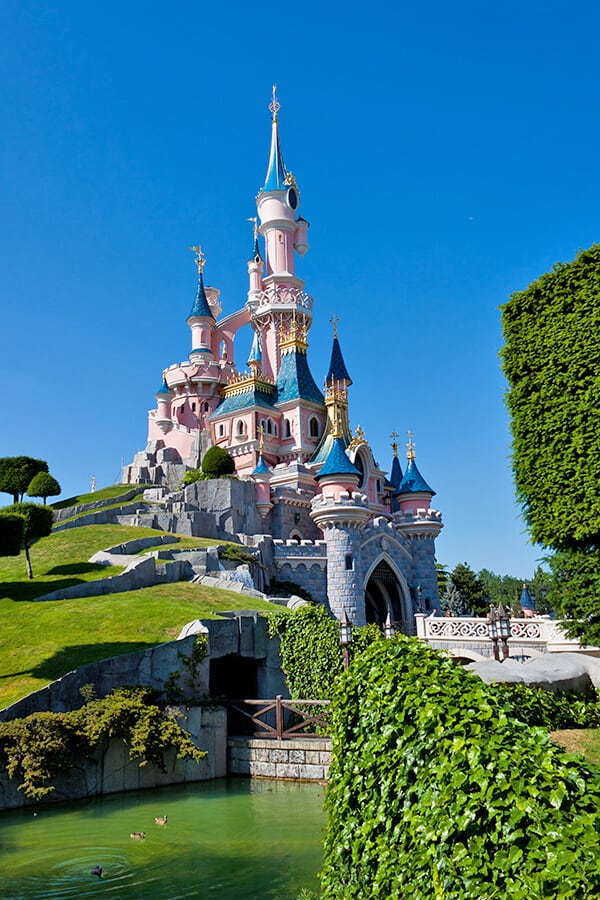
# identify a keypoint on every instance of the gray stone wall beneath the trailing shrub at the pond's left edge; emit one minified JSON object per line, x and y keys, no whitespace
{"x":111,"y":770}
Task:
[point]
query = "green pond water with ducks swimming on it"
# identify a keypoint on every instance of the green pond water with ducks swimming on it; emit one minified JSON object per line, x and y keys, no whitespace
{"x":232,"y":838}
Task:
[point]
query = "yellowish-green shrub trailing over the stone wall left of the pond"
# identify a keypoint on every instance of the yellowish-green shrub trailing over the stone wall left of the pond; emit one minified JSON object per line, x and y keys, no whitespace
{"x":39,"y":747}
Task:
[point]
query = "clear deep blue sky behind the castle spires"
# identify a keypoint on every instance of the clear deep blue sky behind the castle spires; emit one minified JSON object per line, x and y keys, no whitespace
{"x":447,"y":155}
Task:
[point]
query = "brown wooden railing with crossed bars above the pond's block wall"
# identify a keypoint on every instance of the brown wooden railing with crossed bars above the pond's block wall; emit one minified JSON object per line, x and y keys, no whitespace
{"x":285,"y":714}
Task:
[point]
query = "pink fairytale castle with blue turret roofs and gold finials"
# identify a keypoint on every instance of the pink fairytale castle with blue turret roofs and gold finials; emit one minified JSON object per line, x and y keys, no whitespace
{"x":358,"y":541}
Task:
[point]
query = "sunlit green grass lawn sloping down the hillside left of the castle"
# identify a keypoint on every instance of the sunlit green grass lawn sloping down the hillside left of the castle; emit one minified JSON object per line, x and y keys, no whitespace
{"x":42,"y":641}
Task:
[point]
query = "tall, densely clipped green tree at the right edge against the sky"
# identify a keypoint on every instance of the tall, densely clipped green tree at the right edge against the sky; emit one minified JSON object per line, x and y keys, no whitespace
{"x":550,"y":359}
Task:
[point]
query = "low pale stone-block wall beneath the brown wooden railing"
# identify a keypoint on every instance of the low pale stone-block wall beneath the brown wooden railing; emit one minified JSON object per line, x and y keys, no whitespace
{"x":300,"y":759}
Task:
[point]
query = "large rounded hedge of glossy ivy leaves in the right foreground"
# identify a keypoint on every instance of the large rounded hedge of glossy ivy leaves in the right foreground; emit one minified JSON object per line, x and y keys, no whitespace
{"x":436,"y":792}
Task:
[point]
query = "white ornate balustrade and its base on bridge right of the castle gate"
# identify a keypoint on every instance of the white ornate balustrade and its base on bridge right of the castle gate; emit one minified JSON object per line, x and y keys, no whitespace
{"x":467,"y":637}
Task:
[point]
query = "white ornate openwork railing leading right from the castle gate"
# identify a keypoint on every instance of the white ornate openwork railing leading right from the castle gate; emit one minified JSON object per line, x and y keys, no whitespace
{"x":547,"y":633}
